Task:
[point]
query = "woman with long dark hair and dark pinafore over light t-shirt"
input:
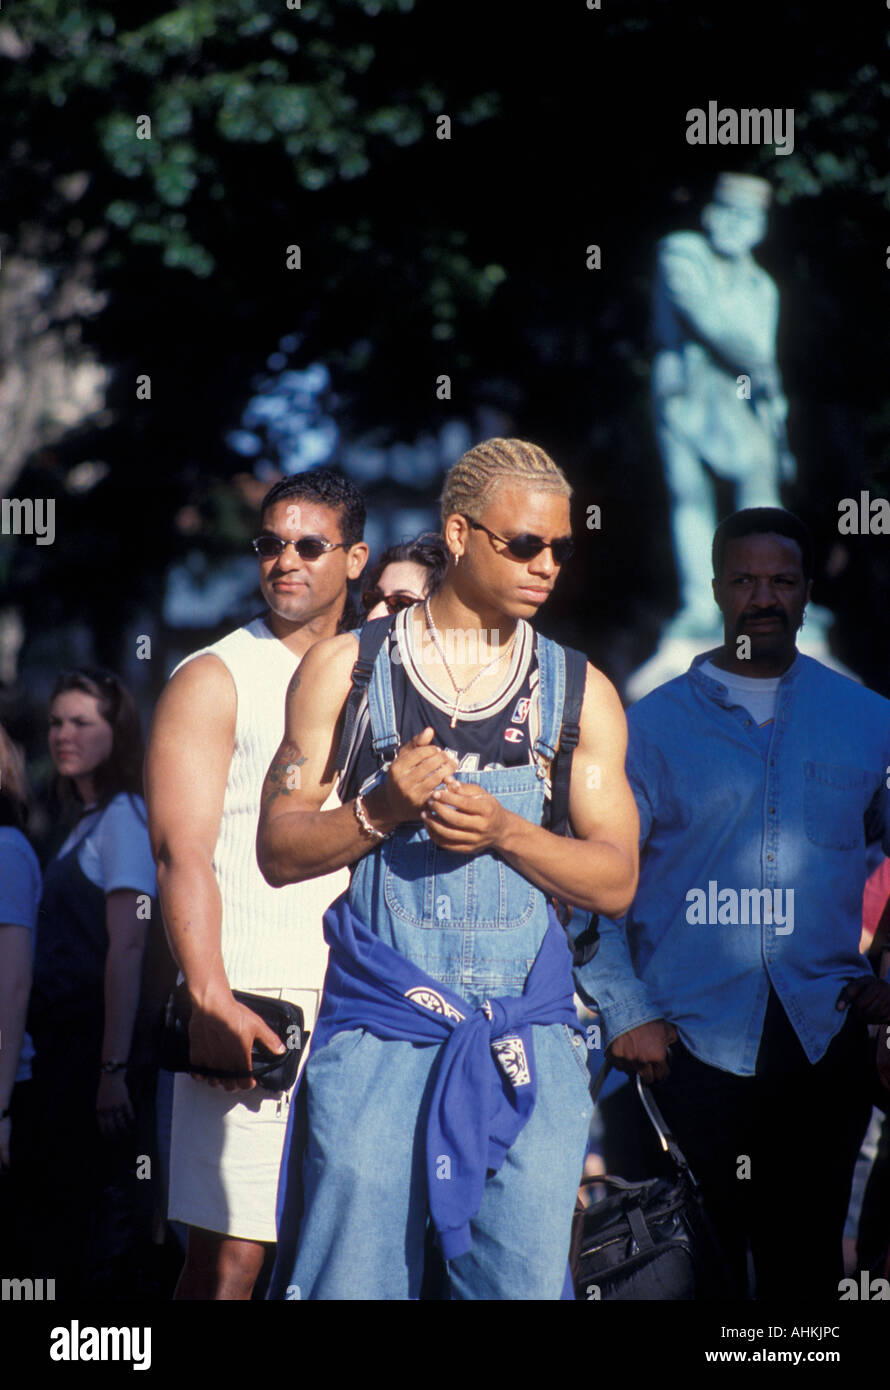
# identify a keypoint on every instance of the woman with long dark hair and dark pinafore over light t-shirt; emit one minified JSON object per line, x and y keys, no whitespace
{"x":92,"y":1061}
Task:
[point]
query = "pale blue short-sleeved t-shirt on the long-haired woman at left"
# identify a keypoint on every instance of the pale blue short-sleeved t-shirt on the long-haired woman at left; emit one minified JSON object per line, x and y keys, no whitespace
{"x":115,"y":847}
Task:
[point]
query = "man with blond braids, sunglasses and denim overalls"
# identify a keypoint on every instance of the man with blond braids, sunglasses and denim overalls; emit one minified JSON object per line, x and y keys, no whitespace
{"x":448,"y":1078}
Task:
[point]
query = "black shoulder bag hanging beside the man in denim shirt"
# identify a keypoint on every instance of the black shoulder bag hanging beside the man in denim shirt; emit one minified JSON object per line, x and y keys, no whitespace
{"x":647,"y":1241}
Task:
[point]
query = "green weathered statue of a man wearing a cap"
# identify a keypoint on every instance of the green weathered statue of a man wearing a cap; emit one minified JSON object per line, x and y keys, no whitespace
{"x":715,"y":382}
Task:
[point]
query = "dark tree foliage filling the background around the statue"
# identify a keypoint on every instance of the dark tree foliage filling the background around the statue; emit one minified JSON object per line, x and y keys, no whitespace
{"x":318,"y":127}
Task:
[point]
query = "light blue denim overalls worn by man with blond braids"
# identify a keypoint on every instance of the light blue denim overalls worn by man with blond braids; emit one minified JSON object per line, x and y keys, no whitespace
{"x":476,"y":925}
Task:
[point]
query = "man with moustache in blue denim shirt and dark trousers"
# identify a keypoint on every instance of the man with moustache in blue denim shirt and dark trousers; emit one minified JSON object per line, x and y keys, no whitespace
{"x":761,"y":776}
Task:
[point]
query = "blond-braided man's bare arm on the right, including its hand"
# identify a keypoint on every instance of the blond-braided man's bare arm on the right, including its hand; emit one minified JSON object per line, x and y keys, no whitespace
{"x":599,"y":869}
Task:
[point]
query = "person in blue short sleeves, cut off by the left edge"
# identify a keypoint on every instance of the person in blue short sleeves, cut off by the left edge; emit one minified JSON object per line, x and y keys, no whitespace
{"x":20,"y":894}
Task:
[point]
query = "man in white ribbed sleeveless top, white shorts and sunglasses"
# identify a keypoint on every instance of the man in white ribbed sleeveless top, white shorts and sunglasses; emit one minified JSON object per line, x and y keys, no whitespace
{"x":218,"y":726}
